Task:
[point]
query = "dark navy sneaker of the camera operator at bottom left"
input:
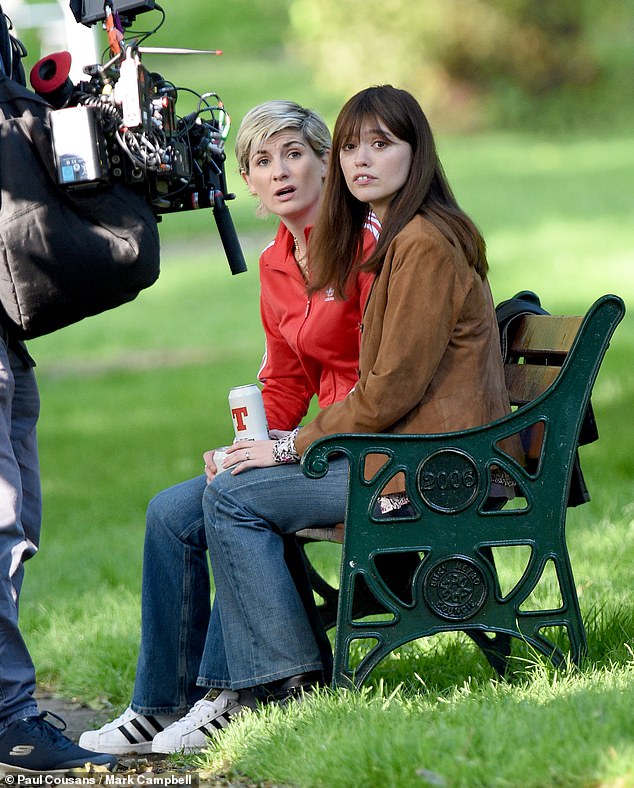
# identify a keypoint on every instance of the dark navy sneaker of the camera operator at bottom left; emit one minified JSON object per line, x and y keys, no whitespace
{"x":33,"y":745}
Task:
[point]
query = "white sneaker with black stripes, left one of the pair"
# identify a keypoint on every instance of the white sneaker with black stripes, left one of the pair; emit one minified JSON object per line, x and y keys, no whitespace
{"x":130,"y":733}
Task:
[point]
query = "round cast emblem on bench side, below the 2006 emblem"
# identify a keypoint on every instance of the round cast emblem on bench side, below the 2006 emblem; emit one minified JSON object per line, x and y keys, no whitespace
{"x":455,"y":588}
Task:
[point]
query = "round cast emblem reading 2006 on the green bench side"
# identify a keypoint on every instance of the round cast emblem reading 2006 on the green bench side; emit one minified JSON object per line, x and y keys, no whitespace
{"x":448,"y":480}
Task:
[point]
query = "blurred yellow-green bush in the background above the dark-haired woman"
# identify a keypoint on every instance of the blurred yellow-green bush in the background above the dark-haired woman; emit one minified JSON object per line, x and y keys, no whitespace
{"x":471,"y":62}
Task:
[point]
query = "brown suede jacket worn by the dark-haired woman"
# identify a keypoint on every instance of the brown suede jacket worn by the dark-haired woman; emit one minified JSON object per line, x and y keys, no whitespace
{"x":430,"y":357}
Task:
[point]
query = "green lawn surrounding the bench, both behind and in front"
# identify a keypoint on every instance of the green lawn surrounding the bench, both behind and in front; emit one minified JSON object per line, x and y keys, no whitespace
{"x":131,"y":399}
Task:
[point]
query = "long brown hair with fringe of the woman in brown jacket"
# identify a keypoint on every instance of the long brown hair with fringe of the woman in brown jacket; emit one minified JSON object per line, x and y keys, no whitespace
{"x":336,"y":241}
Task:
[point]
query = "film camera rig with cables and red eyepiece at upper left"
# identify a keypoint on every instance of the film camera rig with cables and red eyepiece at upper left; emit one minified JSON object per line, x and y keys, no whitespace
{"x":121,"y":124}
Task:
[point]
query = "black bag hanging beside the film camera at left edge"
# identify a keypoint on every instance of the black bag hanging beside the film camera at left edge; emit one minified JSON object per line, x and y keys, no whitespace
{"x":64,"y":255}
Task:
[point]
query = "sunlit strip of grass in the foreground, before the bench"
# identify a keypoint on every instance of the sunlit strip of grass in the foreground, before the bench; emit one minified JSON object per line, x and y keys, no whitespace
{"x":492,"y":735}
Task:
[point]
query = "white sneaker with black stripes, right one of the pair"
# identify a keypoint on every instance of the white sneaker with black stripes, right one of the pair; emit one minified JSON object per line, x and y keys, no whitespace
{"x":203,"y":721}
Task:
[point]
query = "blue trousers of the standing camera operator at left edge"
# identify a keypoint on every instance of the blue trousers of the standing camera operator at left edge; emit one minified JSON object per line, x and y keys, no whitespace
{"x":20,"y":522}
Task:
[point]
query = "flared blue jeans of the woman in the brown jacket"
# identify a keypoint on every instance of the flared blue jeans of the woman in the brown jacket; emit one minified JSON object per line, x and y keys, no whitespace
{"x":265,"y":633}
